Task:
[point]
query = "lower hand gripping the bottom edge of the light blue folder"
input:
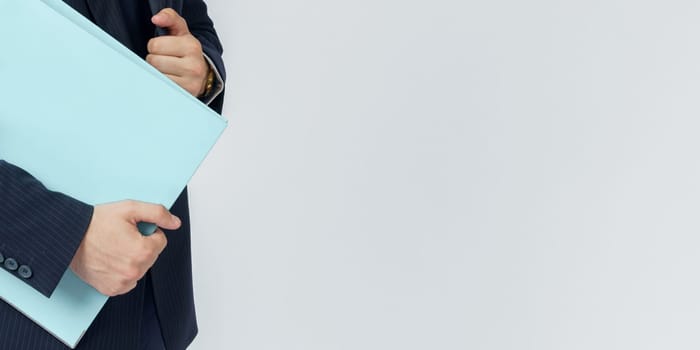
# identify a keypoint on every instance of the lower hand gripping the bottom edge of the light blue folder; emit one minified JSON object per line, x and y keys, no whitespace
{"x":114,"y":255}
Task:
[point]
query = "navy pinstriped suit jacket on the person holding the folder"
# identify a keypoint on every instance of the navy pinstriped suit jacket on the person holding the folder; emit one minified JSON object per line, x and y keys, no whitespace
{"x":43,"y":229}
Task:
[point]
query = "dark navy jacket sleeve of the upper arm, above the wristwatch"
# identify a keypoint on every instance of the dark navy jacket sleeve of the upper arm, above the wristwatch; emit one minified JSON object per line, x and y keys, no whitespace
{"x":202,"y":27}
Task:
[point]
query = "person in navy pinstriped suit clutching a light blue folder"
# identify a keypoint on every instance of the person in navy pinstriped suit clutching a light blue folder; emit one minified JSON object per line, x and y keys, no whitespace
{"x":43,"y":233}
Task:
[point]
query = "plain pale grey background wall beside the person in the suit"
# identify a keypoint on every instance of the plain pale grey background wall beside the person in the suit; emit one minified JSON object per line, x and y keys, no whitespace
{"x":453,"y":175}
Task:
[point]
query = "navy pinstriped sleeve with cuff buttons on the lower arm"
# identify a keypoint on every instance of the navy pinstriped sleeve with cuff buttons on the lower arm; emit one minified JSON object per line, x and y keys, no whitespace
{"x":39,"y":228}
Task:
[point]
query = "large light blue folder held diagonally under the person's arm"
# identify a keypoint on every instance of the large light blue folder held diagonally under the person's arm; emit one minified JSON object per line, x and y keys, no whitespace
{"x":88,"y":118}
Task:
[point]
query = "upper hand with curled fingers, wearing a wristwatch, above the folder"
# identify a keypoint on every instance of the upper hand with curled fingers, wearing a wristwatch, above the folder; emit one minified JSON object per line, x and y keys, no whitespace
{"x":179,"y":55}
